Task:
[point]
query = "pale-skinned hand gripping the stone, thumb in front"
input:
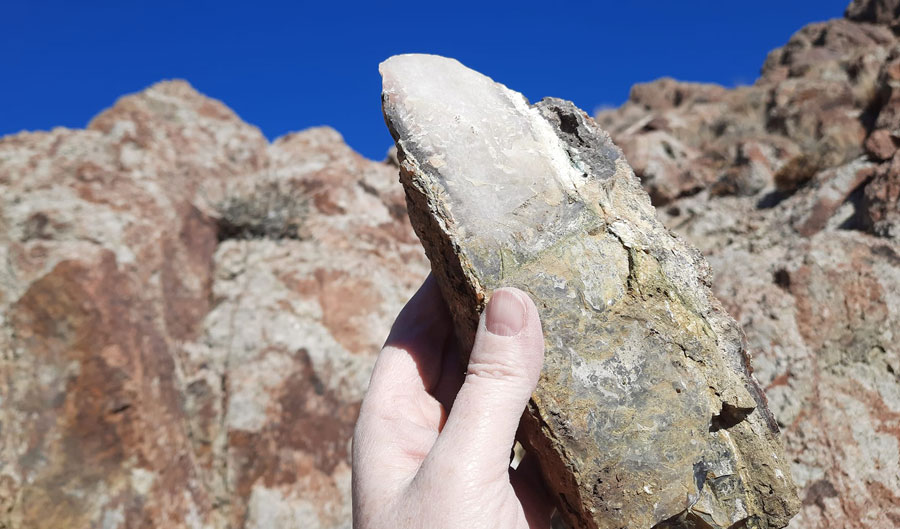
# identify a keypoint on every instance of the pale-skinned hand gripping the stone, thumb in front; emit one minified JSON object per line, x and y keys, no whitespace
{"x":432,"y":444}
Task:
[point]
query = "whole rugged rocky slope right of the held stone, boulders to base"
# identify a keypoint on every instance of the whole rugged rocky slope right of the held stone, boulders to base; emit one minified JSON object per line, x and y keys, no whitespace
{"x":797,"y":213}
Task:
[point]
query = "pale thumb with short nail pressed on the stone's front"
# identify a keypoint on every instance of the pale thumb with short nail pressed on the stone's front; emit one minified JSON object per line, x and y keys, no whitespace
{"x":503,"y":371}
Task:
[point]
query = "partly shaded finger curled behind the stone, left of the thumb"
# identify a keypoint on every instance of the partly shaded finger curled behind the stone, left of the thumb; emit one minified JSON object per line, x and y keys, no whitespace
{"x":398,"y":419}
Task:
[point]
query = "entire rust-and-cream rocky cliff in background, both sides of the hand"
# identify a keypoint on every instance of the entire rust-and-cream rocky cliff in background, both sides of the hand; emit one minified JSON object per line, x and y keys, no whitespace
{"x":188,"y":313}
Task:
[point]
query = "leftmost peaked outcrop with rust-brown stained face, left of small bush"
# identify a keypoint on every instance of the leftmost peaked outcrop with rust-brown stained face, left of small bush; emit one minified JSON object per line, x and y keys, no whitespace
{"x":107,"y":271}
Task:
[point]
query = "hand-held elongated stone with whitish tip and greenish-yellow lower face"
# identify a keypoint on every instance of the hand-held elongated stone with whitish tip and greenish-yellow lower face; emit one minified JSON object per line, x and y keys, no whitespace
{"x":646,"y":414}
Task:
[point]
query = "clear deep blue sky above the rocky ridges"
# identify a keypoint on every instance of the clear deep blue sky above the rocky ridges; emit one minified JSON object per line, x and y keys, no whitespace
{"x":286,"y":66}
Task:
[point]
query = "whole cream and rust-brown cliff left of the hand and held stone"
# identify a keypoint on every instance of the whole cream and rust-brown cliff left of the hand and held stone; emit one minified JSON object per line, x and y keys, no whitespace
{"x":189,"y":317}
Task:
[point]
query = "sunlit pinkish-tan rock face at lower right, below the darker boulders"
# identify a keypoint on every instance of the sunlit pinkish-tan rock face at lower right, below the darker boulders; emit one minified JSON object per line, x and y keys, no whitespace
{"x":821,"y":316}
